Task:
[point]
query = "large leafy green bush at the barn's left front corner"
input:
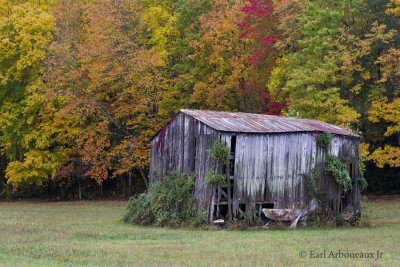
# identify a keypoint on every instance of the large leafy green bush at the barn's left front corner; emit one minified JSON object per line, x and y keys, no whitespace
{"x":168,"y":202}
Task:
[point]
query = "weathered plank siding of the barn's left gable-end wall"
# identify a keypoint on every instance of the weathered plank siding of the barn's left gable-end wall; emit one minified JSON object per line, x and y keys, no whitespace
{"x":183,"y":146}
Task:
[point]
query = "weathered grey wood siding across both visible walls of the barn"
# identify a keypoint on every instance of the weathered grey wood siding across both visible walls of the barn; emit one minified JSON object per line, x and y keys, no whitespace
{"x":269,"y":168}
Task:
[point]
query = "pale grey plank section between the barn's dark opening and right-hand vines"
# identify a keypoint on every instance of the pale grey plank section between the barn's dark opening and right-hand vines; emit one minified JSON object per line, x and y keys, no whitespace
{"x":270,"y":168}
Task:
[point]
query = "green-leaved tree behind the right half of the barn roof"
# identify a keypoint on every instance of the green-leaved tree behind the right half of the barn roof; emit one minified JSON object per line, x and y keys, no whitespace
{"x":310,"y":68}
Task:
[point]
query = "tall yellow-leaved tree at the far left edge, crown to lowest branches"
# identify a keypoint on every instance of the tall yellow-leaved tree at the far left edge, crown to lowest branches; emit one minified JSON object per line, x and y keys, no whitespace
{"x":26,"y":32}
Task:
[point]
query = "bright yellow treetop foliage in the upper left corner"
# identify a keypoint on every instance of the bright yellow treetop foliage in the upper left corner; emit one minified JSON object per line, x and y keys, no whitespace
{"x":24,"y":35}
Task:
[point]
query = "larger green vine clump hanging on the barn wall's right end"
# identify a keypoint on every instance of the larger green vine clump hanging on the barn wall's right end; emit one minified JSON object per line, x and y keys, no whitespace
{"x":339,"y":171}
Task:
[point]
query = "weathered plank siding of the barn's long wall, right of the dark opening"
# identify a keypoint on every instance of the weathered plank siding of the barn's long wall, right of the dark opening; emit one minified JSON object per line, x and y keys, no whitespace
{"x":270,"y":168}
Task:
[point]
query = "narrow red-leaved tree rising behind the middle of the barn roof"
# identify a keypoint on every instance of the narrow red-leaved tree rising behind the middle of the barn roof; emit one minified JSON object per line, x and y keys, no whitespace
{"x":260,"y":28}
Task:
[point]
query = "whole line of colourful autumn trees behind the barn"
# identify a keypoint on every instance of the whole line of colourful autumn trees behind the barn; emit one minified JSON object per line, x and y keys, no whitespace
{"x":85,"y":85}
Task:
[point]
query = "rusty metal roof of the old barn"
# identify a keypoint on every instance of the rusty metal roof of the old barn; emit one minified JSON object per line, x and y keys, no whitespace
{"x":260,"y":123}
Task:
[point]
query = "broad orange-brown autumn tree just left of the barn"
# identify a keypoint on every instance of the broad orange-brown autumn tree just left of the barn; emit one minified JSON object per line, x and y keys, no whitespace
{"x":113,"y":80}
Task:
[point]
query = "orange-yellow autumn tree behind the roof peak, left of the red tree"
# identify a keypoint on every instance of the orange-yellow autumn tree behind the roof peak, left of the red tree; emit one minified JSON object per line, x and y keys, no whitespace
{"x":222,"y":69}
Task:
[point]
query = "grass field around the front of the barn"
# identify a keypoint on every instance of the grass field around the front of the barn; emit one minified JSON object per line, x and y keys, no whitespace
{"x":91,"y":234}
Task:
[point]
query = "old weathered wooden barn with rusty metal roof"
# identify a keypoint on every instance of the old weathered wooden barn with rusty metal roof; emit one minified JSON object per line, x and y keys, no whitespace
{"x":270,"y":156}
